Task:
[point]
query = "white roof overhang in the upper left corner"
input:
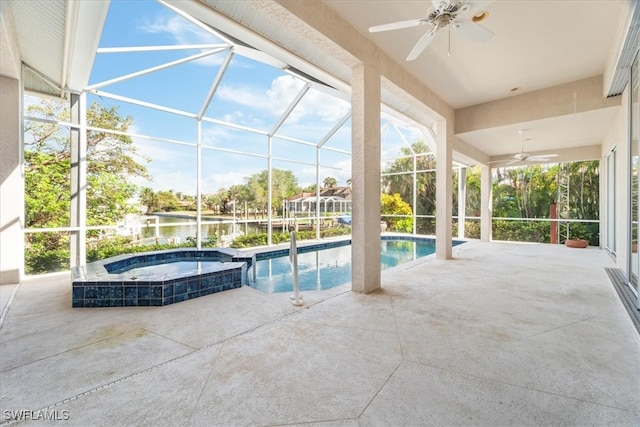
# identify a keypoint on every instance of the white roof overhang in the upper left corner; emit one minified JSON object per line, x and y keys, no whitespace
{"x":55,"y":40}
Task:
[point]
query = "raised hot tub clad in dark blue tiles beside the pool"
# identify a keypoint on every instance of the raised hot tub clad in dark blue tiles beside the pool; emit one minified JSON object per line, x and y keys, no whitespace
{"x":159,"y":278}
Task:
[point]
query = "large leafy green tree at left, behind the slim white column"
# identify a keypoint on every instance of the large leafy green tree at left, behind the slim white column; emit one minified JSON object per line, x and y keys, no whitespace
{"x":112,"y":160}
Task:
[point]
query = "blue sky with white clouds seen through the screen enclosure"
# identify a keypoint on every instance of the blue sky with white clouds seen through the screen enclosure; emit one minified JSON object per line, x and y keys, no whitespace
{"x":251,"y":94}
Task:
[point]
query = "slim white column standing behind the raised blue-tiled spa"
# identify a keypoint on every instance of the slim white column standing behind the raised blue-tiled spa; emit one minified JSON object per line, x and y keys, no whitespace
{"x":78,"y":238}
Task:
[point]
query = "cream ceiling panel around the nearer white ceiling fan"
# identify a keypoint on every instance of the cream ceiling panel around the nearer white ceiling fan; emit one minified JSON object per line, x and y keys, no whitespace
{"x":536,"y":44}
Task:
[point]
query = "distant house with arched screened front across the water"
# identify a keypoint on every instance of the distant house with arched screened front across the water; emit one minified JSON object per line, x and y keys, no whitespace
{"x":333,"y":200}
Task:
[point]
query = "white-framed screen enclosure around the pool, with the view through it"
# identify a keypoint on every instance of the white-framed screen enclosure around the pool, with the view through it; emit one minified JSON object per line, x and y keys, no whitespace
{"x":187,"y":136}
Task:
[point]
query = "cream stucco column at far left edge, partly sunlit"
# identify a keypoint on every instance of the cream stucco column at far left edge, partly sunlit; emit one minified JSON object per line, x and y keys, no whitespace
{"x":11,"y":183}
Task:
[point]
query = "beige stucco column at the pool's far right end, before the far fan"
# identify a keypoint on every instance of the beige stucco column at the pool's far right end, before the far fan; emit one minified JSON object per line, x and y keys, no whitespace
{"x":444,"y":196}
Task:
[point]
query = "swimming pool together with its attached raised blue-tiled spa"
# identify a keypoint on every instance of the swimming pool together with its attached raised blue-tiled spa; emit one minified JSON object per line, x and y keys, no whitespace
{"x":169,"y":276}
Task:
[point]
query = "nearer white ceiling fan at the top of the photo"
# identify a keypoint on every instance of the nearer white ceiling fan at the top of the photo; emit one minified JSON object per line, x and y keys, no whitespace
{"x":444,"y":13}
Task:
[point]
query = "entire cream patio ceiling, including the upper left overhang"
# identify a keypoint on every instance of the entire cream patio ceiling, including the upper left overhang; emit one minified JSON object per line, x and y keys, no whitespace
{"x":537,"y":46}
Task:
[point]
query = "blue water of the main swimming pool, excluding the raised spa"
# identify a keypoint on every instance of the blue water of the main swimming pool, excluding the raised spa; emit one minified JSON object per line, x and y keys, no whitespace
{"x":327,"y":268}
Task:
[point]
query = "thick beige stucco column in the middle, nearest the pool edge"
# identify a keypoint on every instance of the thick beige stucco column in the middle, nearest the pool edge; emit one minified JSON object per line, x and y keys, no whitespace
{"x":365,"y":178}
